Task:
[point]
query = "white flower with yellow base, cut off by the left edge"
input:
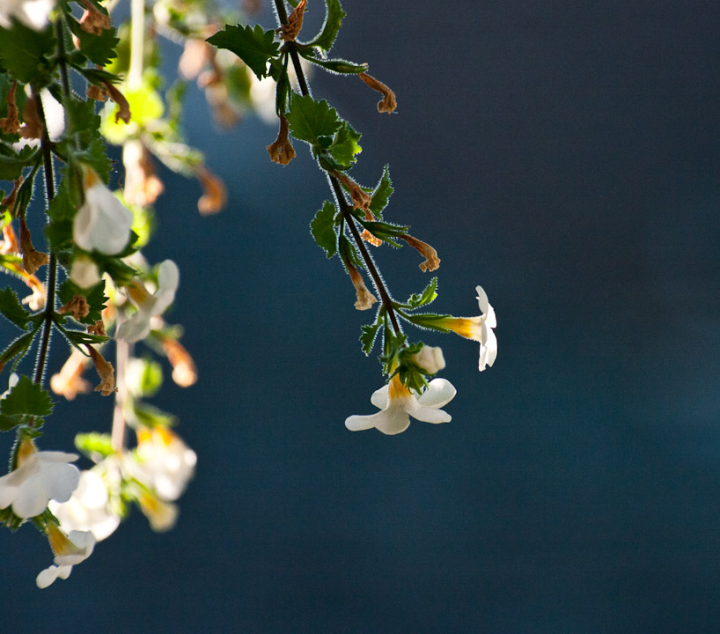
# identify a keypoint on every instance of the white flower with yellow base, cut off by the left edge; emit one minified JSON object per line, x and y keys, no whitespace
{"x":41,"y":476}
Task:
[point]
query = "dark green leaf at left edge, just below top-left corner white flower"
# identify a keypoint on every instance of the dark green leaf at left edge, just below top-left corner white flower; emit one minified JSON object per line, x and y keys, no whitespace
{"x":24,"y":51}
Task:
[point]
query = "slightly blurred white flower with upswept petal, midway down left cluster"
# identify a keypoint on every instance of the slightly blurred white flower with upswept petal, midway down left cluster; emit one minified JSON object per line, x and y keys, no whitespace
{"x":149,"y":306}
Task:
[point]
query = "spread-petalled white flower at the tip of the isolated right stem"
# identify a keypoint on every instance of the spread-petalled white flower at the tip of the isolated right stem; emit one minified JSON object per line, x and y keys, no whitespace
{"x":398,"y":403}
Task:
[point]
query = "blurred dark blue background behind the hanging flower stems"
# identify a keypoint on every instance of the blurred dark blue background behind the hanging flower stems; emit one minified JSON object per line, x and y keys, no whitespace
{"x":565,"y":156}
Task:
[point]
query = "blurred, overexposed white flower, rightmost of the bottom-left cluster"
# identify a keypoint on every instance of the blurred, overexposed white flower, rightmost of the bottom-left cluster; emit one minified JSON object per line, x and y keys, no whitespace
{"x":163,"y":462}
